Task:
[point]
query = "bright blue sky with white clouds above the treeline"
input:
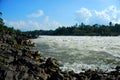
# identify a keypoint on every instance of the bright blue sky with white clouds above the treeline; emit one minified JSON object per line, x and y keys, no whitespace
{"x":28,"y":15}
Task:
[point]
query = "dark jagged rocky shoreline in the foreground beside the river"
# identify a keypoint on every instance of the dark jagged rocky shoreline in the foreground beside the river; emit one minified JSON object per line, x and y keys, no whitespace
{"x":19,"y":62}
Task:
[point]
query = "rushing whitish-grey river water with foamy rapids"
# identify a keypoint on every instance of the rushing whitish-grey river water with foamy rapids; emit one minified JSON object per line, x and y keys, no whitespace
{"x":81,"y":52}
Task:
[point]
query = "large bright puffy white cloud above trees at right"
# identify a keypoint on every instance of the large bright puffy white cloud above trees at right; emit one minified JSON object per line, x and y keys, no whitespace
{"x":111,"y":13}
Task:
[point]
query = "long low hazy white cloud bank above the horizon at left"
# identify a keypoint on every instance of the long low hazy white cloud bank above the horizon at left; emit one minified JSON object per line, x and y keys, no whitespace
{"x":33,"y":25}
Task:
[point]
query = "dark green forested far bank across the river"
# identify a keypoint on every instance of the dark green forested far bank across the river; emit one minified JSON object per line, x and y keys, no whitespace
{"x":82,"y":30}
